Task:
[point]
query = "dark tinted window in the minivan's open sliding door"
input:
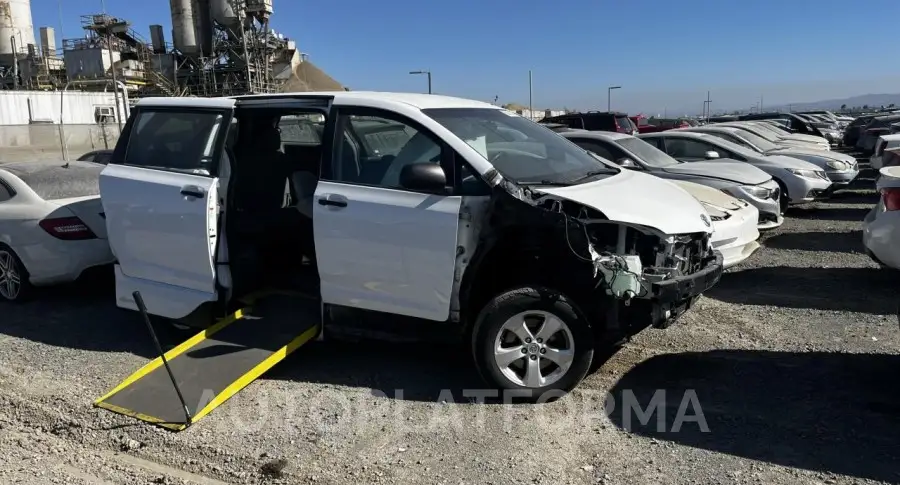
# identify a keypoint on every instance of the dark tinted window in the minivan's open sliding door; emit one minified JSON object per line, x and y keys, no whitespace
{"x":181,"y":141}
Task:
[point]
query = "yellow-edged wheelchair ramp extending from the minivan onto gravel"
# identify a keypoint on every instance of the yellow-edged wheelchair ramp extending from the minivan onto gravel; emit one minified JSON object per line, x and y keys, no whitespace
{"x":215,"y":364}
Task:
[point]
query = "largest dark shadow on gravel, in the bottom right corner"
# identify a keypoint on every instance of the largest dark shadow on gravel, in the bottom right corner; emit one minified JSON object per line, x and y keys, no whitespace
{"x":827,"y":412}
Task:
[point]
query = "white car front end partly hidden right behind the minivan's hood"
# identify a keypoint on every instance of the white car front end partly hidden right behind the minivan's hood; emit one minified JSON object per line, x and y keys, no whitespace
{"x":734,"y":222}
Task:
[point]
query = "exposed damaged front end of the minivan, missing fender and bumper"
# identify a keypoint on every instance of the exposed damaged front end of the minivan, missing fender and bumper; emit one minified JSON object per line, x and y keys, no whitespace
{"x":624,"y":275}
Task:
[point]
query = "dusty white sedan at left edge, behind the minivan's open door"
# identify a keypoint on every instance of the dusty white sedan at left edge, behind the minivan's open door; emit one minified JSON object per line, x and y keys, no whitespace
{"x":52,"y":226}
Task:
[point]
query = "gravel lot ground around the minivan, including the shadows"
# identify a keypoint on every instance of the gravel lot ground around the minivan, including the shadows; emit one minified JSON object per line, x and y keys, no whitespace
{"x":791,"y":362}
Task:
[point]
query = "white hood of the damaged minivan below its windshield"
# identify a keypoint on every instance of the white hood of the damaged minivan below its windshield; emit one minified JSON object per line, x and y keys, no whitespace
{"x":637,"y":198}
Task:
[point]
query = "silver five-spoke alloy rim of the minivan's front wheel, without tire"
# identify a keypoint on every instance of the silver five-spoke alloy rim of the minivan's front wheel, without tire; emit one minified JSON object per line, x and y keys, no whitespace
{"x":534,"y":349}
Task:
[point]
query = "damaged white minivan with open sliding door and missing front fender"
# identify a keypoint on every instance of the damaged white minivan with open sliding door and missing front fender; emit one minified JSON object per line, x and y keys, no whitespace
{"x":422,"y":208}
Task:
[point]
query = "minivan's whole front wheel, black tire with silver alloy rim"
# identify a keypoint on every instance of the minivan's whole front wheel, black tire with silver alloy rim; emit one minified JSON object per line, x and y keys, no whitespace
{"x":527,"y":309}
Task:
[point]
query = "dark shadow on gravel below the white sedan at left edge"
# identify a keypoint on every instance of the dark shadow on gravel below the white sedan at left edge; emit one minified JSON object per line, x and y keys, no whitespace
{"x":83,"y":316}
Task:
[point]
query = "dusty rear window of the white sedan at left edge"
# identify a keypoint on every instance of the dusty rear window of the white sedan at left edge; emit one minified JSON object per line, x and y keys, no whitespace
{"x":58,"y":180}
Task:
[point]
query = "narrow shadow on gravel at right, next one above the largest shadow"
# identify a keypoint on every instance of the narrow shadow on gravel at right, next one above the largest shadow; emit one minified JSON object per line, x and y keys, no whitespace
{"x":861,"y":290}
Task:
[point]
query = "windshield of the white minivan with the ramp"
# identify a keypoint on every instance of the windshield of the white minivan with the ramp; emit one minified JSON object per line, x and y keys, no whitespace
{"x":521,"y":150}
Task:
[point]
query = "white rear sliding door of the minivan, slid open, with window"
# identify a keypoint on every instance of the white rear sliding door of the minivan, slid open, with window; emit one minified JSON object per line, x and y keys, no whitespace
{"x":162,"y":200}
